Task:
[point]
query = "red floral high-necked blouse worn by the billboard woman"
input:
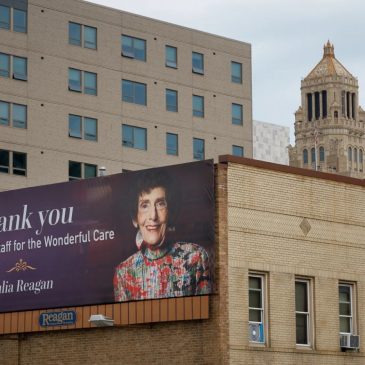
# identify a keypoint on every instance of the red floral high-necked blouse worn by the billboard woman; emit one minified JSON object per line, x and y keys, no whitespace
{"x":175,"y":270}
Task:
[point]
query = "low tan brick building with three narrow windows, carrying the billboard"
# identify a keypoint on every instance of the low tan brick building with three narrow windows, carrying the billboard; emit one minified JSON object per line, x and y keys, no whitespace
{"x":290,"y":285}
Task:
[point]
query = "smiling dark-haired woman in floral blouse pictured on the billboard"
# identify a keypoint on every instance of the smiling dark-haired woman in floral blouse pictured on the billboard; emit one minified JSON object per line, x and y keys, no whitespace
{"x":161,"y":267}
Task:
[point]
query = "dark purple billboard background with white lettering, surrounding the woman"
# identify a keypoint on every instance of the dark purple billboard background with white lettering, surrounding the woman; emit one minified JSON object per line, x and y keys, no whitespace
{"x":82,"y":273}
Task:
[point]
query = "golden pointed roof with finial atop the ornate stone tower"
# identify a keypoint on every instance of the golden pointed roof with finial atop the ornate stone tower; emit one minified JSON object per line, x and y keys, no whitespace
{"x":328,"y":66}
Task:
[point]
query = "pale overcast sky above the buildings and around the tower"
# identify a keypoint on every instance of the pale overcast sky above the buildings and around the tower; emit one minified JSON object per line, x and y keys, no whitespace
{"x":287,"y":38}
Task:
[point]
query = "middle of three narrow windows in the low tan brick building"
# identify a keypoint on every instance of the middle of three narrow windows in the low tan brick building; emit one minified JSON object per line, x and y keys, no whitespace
{"x":302,"y":311}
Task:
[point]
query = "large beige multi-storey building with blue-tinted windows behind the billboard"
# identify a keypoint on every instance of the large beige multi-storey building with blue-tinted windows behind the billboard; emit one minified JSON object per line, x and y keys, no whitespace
{"x":84,"y":86}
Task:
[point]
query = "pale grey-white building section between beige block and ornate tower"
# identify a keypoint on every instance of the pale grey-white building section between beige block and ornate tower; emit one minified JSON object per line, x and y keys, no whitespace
{"x":270,"y":142}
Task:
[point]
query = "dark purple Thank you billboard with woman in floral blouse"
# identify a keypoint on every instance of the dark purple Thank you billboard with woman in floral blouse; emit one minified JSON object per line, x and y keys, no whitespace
{"x":138,"y":235}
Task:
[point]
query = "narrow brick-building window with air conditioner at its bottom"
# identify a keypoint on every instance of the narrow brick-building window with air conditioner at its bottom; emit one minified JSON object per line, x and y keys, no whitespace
{"x":346,"y":309}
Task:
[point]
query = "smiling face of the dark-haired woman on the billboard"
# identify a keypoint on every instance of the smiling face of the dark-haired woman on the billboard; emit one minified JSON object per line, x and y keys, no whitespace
{"x":152,"y":215}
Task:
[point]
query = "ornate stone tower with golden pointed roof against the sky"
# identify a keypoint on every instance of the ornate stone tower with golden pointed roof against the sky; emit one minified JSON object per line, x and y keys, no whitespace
{"x":329,"y":124}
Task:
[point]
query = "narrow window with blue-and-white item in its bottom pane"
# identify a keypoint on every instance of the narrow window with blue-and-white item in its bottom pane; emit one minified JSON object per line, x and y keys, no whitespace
{"x":256,"y":310}
